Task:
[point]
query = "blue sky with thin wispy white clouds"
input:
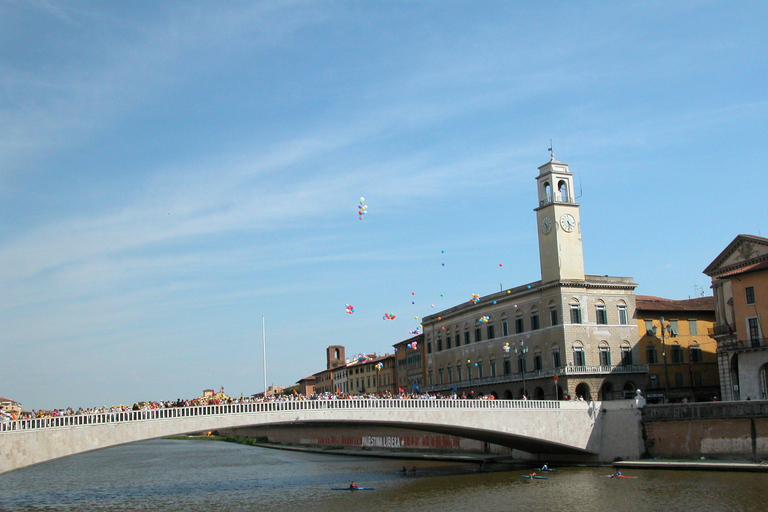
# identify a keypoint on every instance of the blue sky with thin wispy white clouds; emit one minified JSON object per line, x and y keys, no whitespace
{"x":172,"y":171}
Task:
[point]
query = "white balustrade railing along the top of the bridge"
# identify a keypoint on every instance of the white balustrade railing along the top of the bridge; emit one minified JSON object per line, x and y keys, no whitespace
{"x":267,"y":407}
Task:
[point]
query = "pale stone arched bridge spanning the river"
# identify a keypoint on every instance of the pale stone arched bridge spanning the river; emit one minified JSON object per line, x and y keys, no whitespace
{"x":587,"y":430}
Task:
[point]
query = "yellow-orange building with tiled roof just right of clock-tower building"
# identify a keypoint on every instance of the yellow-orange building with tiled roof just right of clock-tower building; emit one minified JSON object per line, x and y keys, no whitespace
{"x":675,"y":344}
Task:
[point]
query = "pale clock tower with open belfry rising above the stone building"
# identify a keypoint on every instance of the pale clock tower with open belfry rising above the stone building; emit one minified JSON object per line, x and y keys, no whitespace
{"x":560,"y":252}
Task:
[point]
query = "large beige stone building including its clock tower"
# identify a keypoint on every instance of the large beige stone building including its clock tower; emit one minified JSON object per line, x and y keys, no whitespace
{"x":568,"y":335}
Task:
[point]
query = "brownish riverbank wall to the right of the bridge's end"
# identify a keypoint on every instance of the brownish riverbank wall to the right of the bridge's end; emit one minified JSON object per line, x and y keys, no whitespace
{"x":711,"y":430}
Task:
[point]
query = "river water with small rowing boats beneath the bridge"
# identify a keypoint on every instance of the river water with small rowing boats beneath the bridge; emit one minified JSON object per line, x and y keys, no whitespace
{"x":192,"y":476}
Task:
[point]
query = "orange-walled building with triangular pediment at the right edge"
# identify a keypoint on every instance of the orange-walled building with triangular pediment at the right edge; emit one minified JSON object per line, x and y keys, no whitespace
{"x":740,"y":285}
